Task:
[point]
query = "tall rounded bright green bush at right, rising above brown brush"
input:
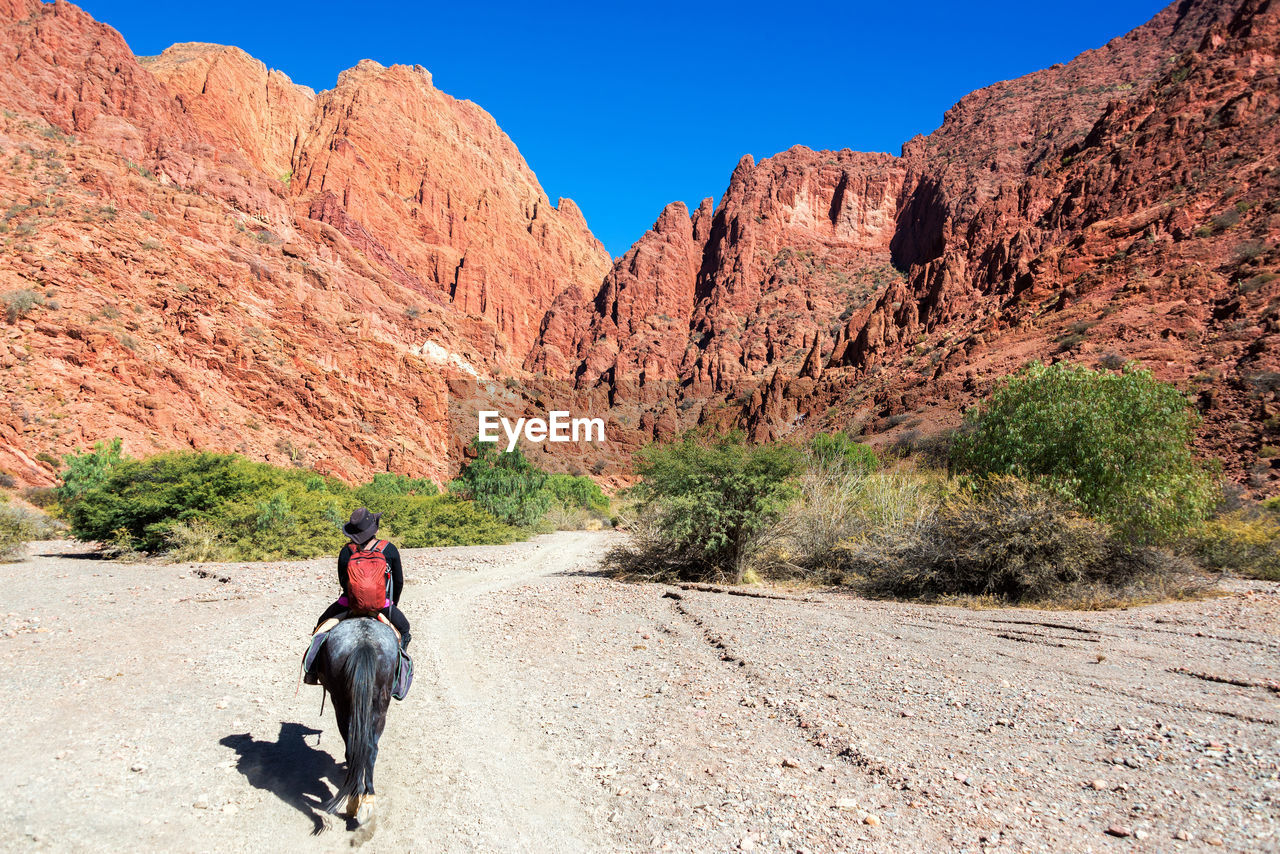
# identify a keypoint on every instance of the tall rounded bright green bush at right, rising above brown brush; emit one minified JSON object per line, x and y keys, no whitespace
{"x":1116,"y":446}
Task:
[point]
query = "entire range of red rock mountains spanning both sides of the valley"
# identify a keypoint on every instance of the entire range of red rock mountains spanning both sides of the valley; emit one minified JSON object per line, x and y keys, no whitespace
{"x":202,"y":254}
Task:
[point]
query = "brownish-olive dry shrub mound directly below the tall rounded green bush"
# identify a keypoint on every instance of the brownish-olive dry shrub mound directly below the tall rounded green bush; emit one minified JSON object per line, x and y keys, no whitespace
{"x":1009,"y":541}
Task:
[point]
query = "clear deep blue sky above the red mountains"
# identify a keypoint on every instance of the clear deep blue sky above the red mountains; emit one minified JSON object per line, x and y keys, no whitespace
{"x":628,"y":107}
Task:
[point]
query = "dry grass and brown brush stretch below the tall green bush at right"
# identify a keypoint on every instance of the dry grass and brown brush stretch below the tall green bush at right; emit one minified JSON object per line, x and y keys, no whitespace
{"x":911,"y":535}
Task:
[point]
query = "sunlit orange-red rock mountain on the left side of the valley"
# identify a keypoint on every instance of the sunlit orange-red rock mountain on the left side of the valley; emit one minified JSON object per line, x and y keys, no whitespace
{"x":199,"y":253}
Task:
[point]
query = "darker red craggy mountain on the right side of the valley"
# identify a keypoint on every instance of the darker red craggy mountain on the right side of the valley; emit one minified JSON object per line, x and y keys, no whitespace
{"x":1123,"y":207}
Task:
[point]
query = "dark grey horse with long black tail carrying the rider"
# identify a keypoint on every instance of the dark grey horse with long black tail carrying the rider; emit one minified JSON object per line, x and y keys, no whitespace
{"x":358,"y":668}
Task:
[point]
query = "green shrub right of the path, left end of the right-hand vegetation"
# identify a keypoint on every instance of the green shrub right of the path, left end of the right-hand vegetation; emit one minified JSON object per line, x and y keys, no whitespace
{"x":706,"y":504}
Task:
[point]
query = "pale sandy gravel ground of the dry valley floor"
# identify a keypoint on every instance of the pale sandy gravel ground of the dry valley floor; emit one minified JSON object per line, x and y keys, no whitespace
{"x":158,"y":709}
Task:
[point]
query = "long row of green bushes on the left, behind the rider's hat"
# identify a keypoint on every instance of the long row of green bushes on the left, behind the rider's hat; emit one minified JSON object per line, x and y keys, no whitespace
{"x":214,"y":506}
